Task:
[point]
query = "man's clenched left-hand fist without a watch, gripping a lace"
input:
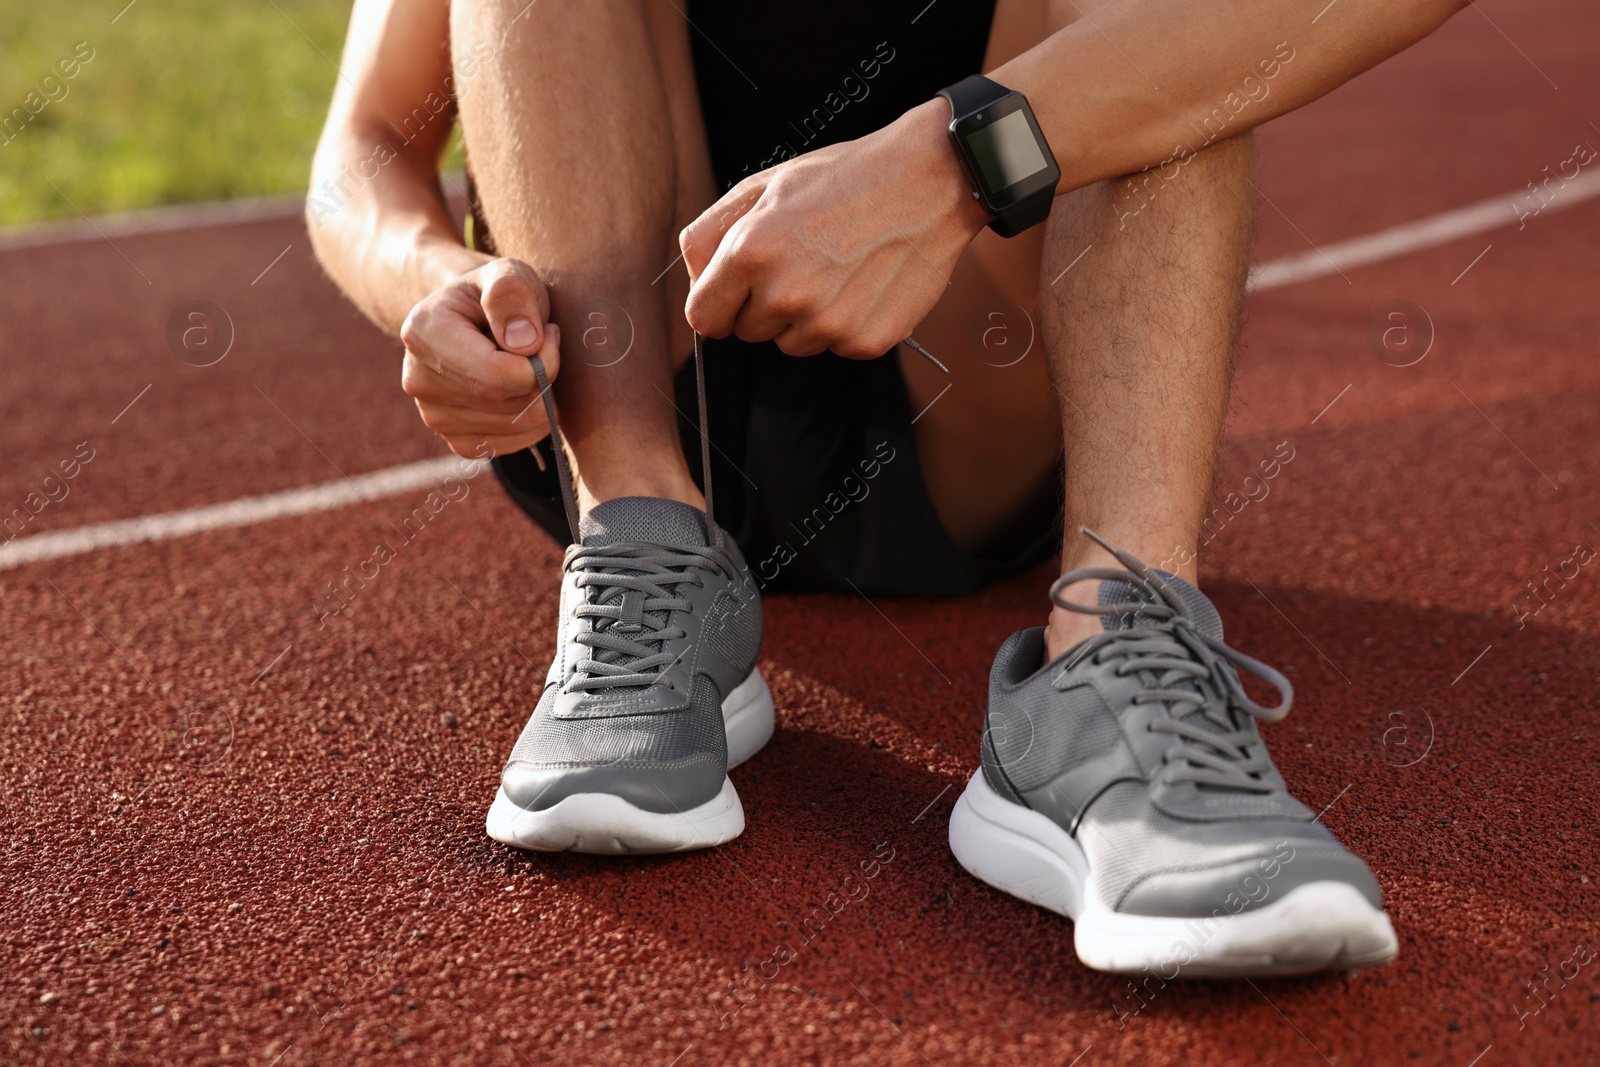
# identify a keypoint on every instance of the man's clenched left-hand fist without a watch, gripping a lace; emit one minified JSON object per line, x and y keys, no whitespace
{"x":478,"y":388}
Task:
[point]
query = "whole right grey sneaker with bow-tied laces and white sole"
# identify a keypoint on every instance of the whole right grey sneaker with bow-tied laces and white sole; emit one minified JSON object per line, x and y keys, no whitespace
{"x":1126,"y":786}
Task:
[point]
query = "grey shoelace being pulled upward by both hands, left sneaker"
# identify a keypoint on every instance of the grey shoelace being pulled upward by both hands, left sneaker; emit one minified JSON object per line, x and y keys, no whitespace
{"x":634,"y":583}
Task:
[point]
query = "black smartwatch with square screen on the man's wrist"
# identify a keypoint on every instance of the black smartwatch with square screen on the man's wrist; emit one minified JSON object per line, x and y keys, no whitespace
{"x":1004,"y":154}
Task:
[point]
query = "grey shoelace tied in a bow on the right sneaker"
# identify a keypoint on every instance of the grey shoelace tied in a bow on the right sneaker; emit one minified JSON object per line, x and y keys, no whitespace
{"x":1185,"y":669}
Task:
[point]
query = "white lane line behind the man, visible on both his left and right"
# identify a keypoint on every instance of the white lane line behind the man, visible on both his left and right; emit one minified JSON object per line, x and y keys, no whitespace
{"x":1399,"y":241}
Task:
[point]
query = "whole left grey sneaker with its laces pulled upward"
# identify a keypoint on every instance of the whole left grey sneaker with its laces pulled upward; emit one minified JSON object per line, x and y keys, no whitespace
{"x":654,"y":692}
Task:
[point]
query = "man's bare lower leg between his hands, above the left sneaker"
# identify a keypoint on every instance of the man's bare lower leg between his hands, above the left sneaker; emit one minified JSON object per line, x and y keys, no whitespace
{"x":588,"y":151}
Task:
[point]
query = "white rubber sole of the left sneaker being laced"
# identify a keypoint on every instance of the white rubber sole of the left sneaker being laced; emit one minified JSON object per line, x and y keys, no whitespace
{"x":601,"y":823}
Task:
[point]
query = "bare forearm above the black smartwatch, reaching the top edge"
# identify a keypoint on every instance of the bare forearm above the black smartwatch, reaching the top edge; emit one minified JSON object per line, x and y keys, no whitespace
{"x":1140,"y":84}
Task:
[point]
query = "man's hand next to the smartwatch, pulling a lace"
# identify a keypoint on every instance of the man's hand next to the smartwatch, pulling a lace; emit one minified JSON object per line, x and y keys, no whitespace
{"x":842,"y":249}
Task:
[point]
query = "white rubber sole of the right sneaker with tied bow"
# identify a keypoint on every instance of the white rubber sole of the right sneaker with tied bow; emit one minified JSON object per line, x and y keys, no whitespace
{"x":1311,"y":929}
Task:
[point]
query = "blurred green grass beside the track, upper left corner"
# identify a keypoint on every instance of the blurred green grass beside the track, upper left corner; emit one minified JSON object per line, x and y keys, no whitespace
{"x":183,"y":102}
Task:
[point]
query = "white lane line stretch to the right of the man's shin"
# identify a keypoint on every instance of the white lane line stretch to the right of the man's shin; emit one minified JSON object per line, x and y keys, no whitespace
{"x":1436,"y":230}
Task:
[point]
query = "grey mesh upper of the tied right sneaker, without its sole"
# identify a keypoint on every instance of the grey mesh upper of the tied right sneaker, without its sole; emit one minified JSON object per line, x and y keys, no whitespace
{"x":1143,"y":745}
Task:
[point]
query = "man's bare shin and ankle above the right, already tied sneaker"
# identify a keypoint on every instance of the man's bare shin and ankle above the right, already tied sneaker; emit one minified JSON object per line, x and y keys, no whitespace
{"x":1140,"y":345}
